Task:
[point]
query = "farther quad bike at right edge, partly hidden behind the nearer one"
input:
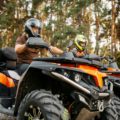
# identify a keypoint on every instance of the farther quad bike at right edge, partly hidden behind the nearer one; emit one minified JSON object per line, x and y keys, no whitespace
{"x":112,"y":111}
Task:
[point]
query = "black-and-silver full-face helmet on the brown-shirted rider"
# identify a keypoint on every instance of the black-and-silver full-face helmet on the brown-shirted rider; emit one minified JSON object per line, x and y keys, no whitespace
{"x":31,"y":23}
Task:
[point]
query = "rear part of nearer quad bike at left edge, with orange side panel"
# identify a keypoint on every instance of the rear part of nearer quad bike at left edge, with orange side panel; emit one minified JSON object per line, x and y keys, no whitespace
{"x":8,"y":80}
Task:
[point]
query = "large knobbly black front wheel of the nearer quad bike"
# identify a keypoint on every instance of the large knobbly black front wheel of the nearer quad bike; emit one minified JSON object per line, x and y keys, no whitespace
{"x":41,"y":105}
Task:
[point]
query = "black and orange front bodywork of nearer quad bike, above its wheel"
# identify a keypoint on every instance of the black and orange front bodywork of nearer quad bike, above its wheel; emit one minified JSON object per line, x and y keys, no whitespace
{"x":58,"y":76}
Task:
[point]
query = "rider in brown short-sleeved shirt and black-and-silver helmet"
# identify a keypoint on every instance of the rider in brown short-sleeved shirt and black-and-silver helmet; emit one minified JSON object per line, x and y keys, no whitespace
{"x":25,"y":54}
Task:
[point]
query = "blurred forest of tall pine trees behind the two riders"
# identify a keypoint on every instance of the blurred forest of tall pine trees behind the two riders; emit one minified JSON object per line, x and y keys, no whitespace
{"x":98,"y":20}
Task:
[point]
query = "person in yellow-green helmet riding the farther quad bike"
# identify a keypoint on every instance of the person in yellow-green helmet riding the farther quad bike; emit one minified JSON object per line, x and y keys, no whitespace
{"x":79,"y":45}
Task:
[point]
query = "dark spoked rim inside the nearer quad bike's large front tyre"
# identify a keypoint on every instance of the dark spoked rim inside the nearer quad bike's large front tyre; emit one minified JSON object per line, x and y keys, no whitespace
{"x":33,"y":113}
